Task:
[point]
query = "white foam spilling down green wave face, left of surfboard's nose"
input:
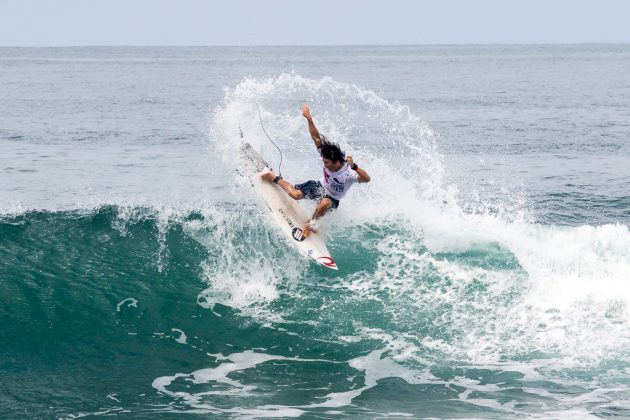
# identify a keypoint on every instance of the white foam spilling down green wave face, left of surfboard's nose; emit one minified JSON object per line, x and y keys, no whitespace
{"x":245,"y":266}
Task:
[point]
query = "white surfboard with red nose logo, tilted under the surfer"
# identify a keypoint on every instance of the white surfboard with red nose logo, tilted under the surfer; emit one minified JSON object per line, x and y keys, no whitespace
{"x":287,"y":212}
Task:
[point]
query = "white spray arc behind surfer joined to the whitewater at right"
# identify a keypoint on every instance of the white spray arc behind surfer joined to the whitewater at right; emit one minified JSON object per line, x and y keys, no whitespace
{"x":504,"y":285}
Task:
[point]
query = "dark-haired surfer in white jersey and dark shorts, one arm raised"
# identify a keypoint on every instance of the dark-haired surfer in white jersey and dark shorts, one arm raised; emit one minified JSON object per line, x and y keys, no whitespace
{"x":339,"y":173}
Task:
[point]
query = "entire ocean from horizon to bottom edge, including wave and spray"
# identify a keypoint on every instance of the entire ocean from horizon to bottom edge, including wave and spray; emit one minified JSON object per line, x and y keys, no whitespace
{"x":484,"y":272}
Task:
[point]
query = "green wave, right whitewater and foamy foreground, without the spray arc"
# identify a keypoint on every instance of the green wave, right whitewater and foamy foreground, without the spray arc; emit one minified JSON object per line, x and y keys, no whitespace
{"x":234,"y":323}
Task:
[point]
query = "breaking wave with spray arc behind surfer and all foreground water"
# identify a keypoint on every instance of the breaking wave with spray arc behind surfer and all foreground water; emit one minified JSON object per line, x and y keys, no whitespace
{"x":452,"y":301}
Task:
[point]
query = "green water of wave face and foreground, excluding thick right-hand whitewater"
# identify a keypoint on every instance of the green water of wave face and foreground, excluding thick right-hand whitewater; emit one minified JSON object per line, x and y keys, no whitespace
{"x":100,"y":304}
